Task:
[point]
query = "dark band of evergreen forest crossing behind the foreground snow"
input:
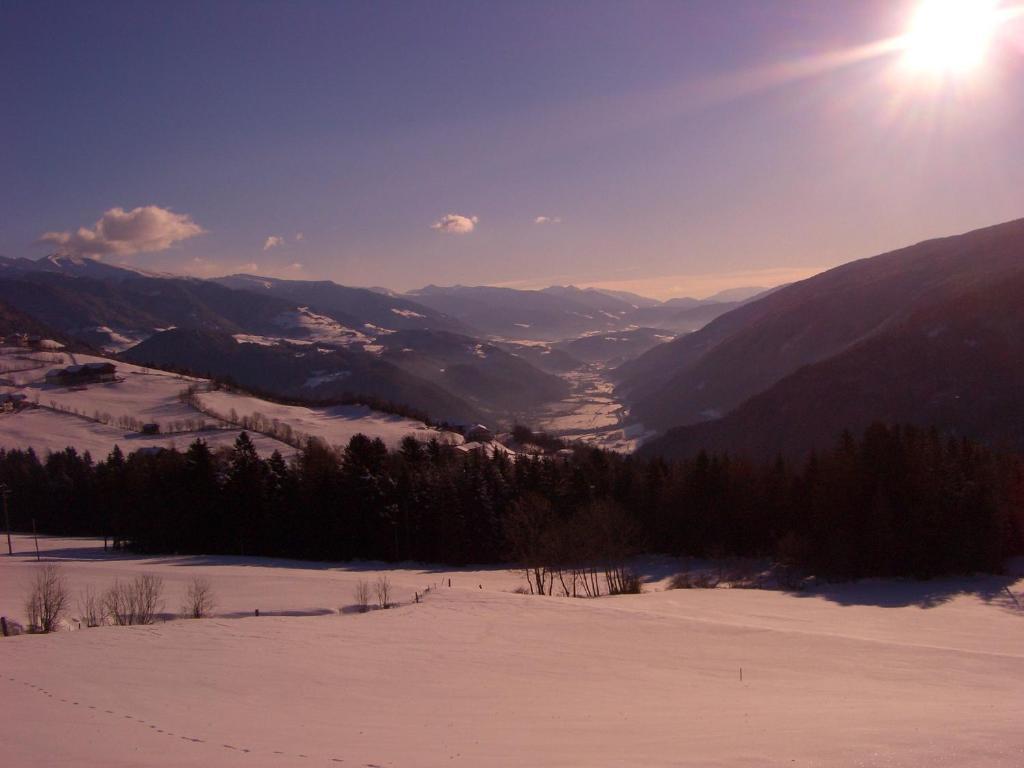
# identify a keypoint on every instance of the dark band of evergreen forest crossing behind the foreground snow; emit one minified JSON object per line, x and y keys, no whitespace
{"x":895,"y":502}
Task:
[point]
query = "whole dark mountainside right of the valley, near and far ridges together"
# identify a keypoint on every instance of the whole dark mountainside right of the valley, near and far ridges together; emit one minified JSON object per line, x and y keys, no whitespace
{"x":932,"y":334}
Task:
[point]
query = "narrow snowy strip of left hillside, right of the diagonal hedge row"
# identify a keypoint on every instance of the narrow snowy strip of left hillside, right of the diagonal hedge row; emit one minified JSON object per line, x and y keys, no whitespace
{"x":334,"y":424}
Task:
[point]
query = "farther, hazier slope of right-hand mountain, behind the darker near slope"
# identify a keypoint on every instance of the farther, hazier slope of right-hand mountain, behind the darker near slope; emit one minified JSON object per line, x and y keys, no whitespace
{"x":707,"y":374}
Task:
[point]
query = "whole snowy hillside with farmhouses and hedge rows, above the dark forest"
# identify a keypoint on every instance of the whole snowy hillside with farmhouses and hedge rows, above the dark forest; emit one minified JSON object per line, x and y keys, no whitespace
{"x":68,"y":416}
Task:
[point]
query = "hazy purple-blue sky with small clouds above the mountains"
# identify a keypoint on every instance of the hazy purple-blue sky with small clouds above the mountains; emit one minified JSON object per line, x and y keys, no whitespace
{"x":674,"y":148}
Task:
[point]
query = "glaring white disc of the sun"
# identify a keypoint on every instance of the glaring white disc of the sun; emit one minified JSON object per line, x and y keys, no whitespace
{"x":952,"y":37}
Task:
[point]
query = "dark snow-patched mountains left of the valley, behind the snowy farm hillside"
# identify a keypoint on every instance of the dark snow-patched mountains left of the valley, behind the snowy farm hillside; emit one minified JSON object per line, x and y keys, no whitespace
{"x":315,"y":340}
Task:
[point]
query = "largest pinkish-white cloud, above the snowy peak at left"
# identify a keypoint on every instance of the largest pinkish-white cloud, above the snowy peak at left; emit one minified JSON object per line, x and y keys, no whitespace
{"x":122,"y":233}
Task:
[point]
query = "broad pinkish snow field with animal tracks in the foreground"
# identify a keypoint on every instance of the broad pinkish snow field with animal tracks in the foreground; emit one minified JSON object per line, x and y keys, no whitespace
{"x":884,"y":674}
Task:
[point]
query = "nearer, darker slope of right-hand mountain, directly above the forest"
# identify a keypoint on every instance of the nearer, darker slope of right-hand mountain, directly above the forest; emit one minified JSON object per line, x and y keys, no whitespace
{"x":957,"y":364}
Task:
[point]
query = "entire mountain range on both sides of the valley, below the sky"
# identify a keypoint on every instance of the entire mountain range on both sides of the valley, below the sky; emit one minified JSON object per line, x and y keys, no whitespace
{"x":932,"y":334}
